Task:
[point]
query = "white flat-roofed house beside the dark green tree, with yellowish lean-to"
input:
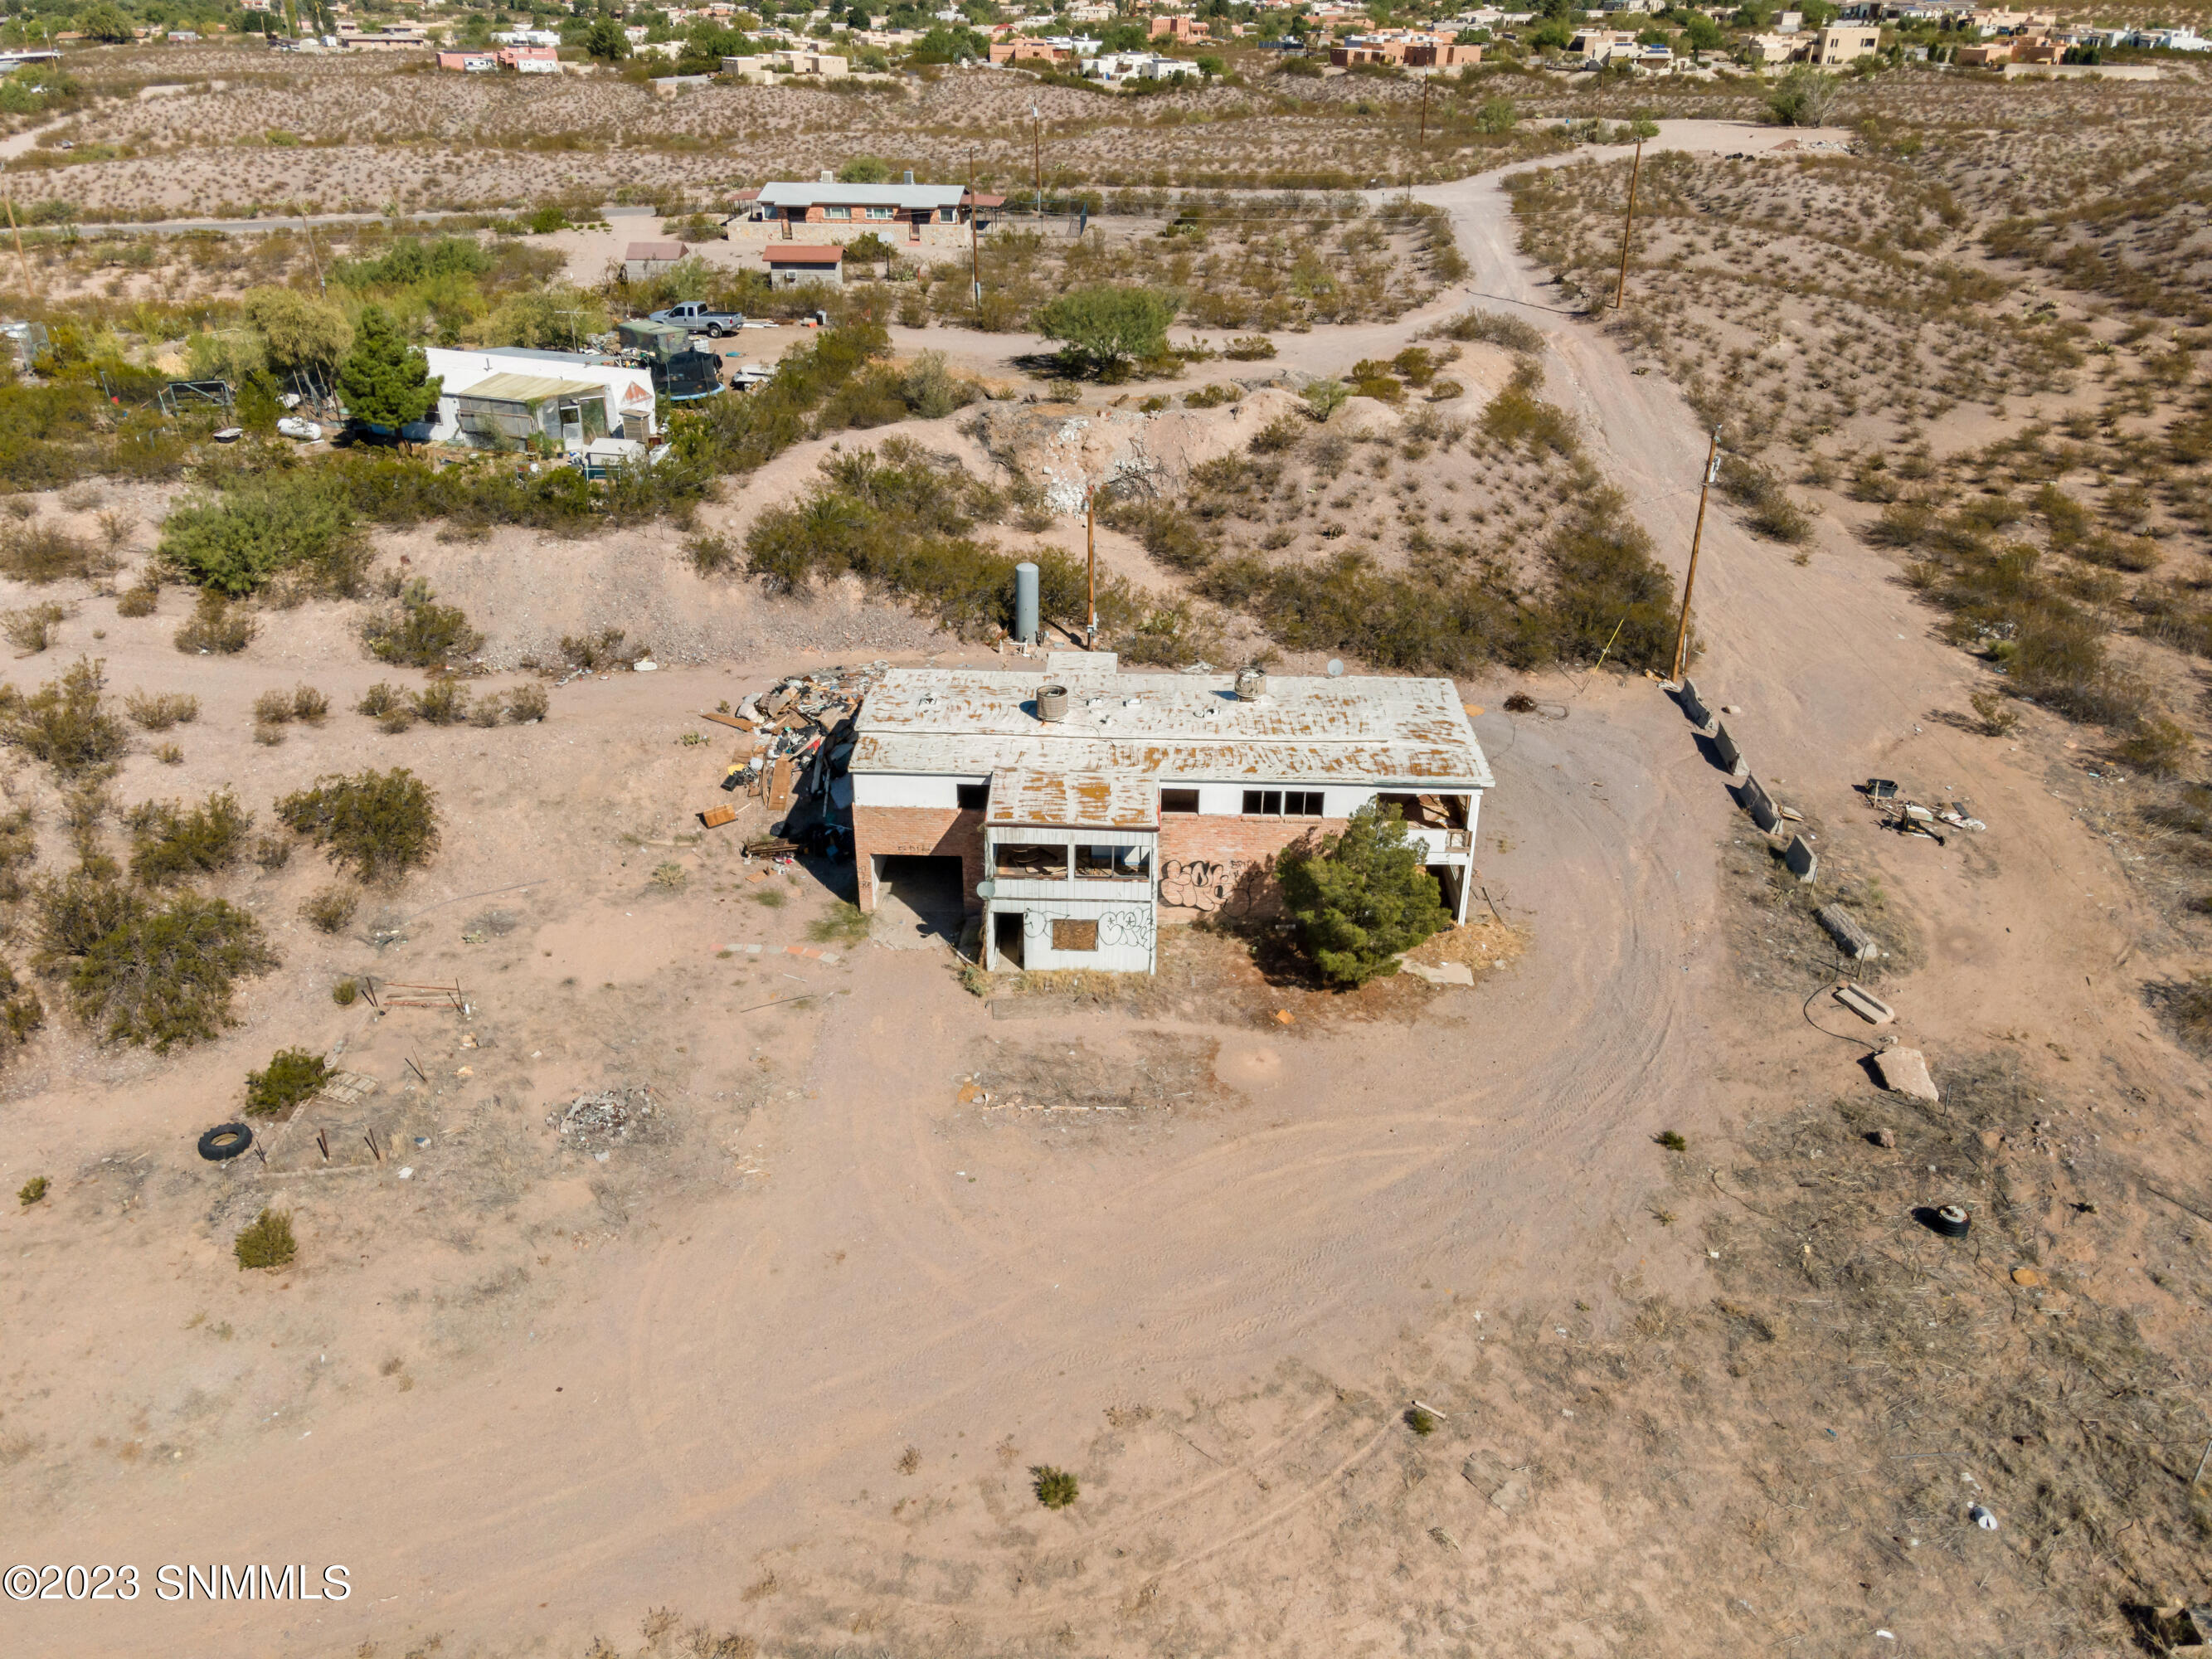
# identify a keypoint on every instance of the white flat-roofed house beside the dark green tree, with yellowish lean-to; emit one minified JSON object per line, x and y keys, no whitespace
{"x":570,"y":399}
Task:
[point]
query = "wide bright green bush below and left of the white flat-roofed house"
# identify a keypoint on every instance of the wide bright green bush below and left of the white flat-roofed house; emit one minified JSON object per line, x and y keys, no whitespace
{"x":240,"y":539}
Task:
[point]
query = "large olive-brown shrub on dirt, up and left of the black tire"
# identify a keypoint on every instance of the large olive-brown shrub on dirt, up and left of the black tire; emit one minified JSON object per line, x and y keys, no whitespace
{"x":165,"y":977}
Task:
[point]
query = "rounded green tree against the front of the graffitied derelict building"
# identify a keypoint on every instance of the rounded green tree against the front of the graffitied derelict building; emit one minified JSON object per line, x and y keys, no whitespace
{"x":1361,"y":897}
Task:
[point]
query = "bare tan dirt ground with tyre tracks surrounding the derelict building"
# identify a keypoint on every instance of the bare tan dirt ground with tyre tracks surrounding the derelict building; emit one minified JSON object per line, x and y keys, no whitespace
{"x":773,"y":1373}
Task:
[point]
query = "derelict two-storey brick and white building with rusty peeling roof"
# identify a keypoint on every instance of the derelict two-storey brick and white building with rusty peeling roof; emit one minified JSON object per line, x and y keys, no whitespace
{"x":1087,"y":808}
